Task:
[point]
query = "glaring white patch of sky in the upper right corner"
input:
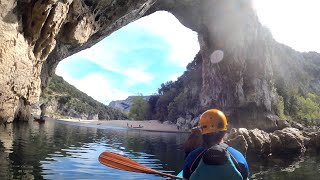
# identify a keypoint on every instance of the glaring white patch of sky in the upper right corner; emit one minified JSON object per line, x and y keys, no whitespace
{"x":292,"y":22}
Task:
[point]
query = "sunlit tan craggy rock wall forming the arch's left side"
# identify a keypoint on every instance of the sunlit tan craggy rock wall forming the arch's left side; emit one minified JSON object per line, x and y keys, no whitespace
{"x":36,"y":35}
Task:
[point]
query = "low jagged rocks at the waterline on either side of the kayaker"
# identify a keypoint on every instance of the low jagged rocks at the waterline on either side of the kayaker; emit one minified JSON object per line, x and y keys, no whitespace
{"x":286,"y":138}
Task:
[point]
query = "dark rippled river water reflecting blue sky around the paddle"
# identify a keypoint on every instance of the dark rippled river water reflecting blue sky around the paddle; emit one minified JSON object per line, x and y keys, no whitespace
{"x":61,"y":150}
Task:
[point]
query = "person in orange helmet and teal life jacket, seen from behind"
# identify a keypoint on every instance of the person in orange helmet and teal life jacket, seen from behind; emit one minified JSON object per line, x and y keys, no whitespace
{"x":215,"y":159}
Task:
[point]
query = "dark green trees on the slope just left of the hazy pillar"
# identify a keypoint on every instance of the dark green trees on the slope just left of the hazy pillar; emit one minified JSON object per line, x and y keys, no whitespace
{"x":181,"y":97}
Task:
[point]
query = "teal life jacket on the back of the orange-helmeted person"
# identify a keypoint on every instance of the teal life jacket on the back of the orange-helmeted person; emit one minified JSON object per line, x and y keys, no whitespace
{"x":216,"y":163}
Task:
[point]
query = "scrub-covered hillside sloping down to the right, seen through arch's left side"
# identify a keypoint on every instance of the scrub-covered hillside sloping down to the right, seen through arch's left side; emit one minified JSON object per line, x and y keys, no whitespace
{"x":64,"y":100}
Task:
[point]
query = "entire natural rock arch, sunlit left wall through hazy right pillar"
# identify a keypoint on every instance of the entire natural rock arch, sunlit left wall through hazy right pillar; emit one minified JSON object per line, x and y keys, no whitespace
{"x":36,"y":35}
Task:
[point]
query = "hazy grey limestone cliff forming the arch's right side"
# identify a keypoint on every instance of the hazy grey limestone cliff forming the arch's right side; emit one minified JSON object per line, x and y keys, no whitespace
{"x":256,"y":71}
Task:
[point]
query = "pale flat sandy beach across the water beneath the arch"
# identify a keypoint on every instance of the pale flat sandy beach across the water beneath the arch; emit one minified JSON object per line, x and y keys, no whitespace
{"x":146,"y":125}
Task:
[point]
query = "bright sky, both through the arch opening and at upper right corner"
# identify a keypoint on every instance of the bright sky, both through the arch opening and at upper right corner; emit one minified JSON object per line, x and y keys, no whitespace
{"x":155,"y":49}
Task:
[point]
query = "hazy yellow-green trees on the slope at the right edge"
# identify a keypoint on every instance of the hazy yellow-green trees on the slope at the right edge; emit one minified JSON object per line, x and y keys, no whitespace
{"x":299,"y":88}
